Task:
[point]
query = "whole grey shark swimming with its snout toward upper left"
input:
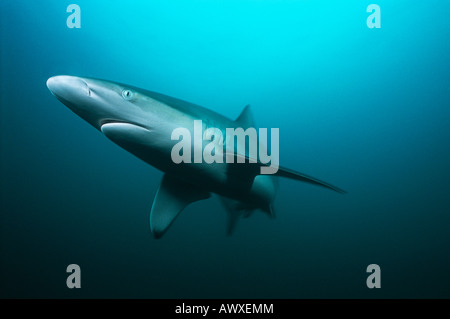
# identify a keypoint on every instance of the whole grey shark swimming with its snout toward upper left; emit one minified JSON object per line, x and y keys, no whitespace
{"x":142,"y":122}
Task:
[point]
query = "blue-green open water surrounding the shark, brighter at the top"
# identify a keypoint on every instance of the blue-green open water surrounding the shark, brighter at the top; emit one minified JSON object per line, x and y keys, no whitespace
{"x":365,"y":109}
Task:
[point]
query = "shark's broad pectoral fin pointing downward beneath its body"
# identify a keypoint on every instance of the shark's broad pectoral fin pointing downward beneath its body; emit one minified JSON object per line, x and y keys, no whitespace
{"x":171,"y":198}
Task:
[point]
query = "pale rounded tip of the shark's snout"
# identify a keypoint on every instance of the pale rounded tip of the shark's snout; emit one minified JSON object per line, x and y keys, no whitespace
{"x":68,"y":87}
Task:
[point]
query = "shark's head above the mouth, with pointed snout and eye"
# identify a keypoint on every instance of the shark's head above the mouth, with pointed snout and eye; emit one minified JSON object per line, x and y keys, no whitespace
{"x":100,"y":102}
